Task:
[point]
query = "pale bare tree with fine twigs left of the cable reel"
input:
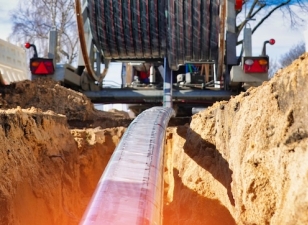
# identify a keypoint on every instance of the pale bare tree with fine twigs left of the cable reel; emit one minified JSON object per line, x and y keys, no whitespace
{"x":32,"y":20}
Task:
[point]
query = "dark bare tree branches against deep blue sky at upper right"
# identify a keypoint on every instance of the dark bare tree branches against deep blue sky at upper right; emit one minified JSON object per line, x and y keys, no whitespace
{"x":266,"y":8}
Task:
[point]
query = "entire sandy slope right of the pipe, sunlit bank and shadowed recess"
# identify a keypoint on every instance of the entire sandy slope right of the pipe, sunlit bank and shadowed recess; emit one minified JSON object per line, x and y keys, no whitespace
{"x":247,"y":156}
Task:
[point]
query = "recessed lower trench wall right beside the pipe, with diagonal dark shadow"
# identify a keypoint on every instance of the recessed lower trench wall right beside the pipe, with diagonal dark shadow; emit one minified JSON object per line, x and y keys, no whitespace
{"x":197,"y":182}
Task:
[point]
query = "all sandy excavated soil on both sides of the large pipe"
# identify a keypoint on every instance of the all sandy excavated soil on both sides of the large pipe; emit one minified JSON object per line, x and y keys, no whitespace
{"x":239,"y":162}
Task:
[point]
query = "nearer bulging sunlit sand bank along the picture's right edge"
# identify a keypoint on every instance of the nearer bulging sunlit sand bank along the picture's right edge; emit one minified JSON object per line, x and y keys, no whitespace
{"x":261,"y":135}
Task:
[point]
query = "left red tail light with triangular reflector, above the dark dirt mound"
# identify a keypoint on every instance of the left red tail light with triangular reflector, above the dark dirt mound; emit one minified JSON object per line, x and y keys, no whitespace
{"x":41,"y":66}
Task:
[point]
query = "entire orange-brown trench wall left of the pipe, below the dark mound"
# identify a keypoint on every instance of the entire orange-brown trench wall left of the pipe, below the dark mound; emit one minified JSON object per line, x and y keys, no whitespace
{"x":48,"y":173}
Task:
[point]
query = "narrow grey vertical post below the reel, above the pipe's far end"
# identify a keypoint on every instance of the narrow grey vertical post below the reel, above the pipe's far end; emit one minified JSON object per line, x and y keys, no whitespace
{"x":167,"y":101}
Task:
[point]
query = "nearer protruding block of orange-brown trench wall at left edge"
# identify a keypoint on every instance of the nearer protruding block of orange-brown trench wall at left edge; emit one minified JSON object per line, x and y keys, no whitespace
{"x":34,"y":165}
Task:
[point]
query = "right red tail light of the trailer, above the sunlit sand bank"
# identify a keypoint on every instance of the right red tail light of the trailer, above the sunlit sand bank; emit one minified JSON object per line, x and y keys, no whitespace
{"x":255,"y":64}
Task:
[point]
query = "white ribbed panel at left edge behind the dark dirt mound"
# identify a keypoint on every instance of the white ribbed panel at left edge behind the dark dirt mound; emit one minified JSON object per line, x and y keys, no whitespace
{"x":13,"y":63}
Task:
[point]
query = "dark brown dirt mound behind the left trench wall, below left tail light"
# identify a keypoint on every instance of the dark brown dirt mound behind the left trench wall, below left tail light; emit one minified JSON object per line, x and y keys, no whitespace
{"x":47,"y":94}
